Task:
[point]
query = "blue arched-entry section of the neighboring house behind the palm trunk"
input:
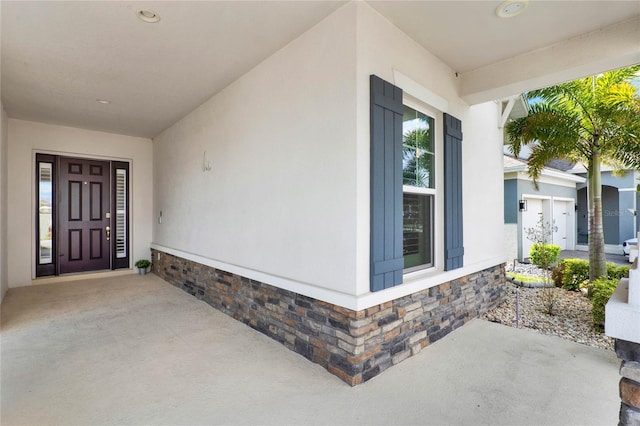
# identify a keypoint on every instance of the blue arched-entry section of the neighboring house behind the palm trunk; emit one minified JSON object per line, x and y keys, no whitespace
{"x":620,"y":202}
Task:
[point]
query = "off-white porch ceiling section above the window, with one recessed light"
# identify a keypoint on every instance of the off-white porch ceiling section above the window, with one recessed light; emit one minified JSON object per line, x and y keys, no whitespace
{"x":480,"y":38}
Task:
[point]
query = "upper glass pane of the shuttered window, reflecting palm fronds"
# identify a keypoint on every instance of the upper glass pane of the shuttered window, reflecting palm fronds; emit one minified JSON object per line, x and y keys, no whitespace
{"x":418,"y":165}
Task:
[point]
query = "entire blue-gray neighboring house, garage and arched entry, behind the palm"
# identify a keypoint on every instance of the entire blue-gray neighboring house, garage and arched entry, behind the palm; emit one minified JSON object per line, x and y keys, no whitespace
{"x":562,"y":198}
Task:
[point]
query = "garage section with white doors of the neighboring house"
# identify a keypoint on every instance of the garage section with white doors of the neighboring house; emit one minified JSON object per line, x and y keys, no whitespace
{"x":554,"y":199}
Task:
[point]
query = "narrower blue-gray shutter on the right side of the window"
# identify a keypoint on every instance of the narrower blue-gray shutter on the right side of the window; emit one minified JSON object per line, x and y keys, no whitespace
{"x":453,"y":243}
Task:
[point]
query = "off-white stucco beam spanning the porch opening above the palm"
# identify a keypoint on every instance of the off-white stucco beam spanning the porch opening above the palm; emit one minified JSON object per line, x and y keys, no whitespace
{"x":611,"y":47}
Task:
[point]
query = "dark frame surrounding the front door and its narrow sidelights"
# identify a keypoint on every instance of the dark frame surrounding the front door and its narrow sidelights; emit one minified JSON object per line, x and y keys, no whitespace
{"x":120,"y":260}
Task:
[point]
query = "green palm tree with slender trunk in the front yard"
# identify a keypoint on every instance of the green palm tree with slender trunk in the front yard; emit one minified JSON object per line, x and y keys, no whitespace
{"x":592,"y":120}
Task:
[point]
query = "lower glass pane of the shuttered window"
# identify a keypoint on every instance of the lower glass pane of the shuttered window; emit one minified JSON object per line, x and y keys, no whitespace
{"x":417,"y":230}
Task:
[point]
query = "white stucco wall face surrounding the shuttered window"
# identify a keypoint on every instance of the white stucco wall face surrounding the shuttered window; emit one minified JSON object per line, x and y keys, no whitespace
{"x":386,"y":51}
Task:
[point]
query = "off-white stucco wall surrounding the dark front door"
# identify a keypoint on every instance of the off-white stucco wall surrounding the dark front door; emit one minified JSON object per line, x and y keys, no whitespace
{"x":25,"y":139}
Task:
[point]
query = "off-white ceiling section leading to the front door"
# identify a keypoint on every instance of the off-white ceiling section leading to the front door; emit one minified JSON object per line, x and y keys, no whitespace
{"x":59,"y":57}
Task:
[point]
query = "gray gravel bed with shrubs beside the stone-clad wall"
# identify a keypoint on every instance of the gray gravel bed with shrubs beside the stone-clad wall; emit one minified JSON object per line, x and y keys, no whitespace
{"x":572,"y":319}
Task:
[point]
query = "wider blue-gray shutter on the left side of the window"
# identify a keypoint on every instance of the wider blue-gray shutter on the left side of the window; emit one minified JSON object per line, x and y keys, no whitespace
{"x":387,"y":261}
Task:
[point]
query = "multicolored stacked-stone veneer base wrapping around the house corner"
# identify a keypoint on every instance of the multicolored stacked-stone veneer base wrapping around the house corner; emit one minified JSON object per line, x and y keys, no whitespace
{"x":353,"y":345}
